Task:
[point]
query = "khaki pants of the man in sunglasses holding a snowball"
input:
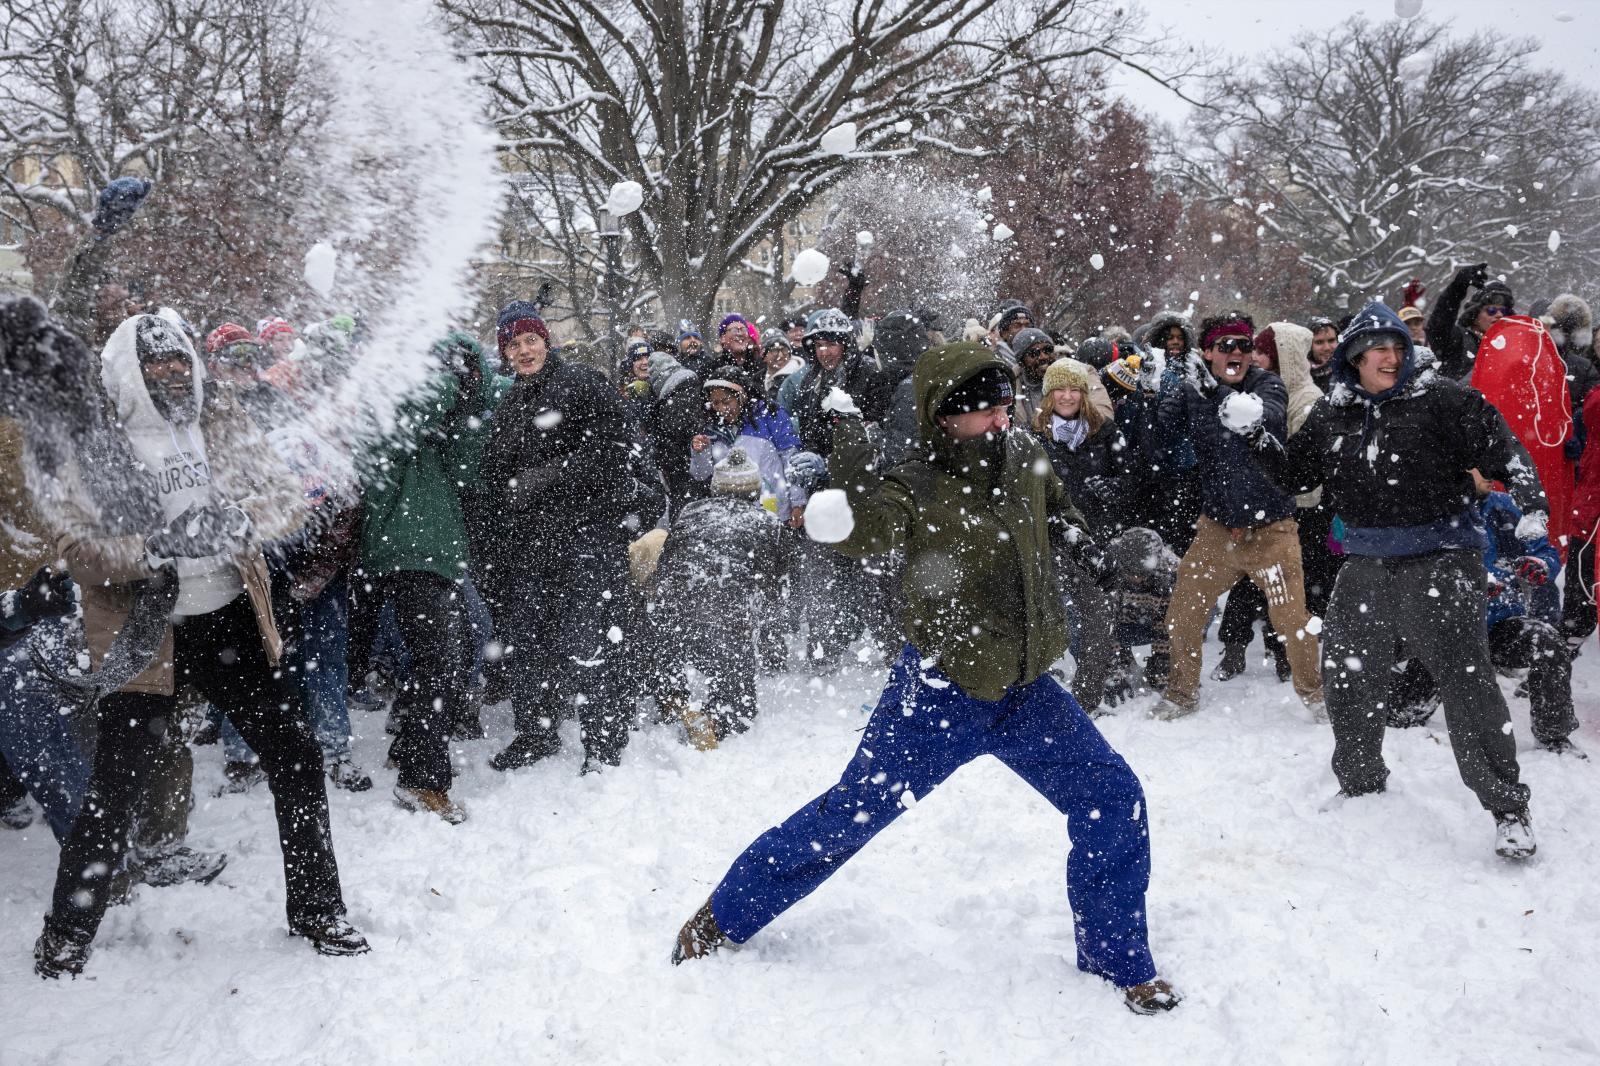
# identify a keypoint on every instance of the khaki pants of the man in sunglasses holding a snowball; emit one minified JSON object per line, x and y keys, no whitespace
{"x":1215,"y":561}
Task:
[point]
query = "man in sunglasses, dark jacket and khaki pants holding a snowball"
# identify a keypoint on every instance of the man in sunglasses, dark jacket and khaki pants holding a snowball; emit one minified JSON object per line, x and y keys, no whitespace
{"x":1247,"y":523}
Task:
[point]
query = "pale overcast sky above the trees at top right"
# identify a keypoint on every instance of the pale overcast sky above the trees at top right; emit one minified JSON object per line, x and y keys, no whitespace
{"x":1258,"y":26}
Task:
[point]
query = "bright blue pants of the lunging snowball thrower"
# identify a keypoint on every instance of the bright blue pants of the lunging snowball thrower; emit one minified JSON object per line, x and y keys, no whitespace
{"x":922,"y":731}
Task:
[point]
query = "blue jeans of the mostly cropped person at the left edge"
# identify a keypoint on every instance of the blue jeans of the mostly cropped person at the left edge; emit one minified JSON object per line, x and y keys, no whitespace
{"x":34,"y":735}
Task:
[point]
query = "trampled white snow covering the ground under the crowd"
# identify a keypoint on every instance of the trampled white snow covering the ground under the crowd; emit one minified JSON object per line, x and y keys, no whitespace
{"x":1382,"y":932}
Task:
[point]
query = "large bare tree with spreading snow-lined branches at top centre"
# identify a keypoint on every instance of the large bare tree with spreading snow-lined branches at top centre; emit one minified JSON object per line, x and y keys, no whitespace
{"x":719,"y":108}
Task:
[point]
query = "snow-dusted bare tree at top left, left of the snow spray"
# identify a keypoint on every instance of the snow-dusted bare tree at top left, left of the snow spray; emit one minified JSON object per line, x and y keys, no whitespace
{"x":218,"y":102}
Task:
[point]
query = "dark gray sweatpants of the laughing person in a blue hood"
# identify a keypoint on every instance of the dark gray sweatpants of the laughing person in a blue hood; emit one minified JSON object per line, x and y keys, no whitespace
{"x":1436,"y":604}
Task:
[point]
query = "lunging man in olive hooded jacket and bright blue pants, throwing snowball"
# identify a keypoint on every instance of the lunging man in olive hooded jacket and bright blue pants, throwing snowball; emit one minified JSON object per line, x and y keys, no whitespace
{"x":977,"y":513}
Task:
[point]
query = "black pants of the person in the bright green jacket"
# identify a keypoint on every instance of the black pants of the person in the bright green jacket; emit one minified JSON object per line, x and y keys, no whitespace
{"x":431,"y":617}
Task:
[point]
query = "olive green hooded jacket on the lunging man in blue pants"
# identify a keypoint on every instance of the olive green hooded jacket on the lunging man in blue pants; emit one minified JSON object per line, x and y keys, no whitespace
{"x":982,"y":587}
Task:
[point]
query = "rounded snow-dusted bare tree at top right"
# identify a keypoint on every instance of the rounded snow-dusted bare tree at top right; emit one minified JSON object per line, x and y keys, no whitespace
{"x":1396,"y":150}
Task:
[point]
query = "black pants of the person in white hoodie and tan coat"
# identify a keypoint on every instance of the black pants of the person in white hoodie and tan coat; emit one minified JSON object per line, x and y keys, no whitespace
{"x":222,"y":655}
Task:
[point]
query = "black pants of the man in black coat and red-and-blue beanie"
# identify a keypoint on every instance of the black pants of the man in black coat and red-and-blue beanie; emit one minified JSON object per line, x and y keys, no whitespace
{"x":567,"y":630}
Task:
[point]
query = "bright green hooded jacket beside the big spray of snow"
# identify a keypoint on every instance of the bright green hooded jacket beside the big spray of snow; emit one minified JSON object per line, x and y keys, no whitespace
{"x":415,"y":478}
